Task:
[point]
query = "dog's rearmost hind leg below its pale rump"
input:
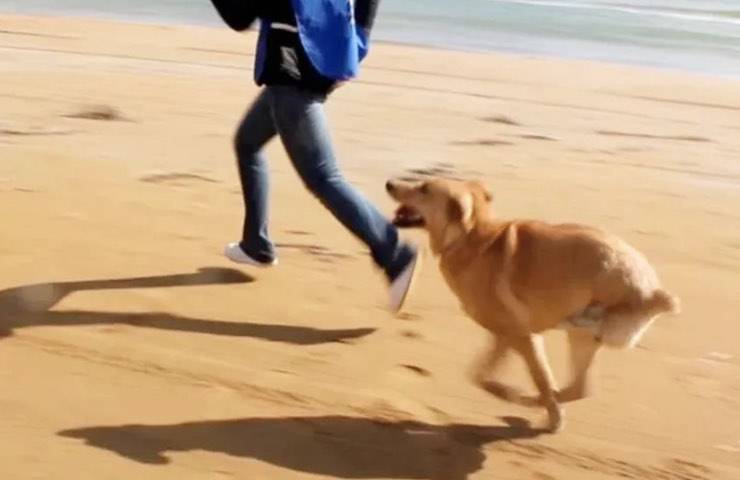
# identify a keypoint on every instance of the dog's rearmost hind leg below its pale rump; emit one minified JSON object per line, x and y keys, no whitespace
{"x":583,"y":349}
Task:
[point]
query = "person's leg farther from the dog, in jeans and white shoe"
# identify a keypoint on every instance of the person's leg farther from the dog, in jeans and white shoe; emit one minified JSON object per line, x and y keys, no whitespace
{"x":255,"y":130}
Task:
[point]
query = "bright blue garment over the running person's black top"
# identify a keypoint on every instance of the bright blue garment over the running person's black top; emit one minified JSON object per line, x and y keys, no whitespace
{"x":334,"y":43}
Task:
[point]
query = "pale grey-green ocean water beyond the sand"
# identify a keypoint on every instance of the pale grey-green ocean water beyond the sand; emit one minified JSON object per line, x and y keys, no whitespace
{"x":696,"y":35}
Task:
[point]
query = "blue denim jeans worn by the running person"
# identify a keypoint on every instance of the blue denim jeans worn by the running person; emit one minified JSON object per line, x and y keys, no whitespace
{"x":297,"y":116}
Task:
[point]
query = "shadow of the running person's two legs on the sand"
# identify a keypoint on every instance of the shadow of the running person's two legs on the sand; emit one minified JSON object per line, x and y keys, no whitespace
{"x":31,"y":305}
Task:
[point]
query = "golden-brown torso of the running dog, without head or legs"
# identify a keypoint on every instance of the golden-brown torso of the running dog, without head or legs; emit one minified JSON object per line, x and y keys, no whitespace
{"x":553,"y":271}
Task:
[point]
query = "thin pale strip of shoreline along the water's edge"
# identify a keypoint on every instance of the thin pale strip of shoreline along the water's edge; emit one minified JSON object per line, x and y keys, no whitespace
{"x":420,"y":45}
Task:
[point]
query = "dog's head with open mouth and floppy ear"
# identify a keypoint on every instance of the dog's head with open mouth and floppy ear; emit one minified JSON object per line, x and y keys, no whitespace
{"x":447,"y":209}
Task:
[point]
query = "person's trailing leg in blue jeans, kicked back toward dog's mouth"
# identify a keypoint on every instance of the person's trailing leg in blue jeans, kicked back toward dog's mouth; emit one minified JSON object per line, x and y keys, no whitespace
{"x":301,"y":124}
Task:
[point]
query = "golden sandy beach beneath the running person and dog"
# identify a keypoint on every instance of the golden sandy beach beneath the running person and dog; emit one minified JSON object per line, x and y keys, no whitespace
{"x":129,"y":348}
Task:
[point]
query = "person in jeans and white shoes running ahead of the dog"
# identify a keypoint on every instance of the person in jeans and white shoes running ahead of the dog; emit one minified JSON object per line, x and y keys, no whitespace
{"x":306,"y":49}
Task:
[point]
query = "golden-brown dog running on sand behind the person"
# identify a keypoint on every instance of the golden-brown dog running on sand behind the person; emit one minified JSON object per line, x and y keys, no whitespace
{"x":520,"y":278}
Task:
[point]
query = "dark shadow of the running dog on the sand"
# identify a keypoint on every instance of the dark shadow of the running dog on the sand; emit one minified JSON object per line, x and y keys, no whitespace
{"x":335,"y":446}
